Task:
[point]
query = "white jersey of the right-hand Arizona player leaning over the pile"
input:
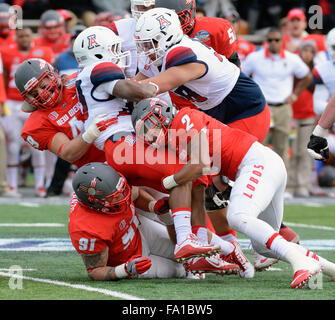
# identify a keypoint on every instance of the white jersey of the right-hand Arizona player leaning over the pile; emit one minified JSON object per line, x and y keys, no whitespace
{"x":208,"y":91}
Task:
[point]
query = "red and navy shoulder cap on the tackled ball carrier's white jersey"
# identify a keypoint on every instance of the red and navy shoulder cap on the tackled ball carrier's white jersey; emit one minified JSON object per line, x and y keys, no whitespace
{"x":106,"y":72}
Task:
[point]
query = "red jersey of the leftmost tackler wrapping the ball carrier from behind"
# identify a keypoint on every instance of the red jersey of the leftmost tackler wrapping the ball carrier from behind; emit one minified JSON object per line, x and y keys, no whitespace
{"x":68,"y":117}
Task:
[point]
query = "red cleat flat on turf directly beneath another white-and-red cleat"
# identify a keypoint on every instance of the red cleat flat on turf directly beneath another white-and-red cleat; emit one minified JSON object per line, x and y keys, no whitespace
{"x":212,"y":264}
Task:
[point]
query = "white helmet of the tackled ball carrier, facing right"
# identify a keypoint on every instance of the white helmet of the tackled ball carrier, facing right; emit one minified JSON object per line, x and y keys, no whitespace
{"x":99,"y":44}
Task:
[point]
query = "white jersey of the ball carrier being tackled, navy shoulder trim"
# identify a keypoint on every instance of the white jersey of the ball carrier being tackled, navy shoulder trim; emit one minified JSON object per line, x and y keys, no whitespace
{"x":99,"y":102}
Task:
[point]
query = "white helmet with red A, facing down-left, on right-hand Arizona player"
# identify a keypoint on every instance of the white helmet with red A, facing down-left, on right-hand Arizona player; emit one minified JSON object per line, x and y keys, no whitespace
{"x":156,"y":31}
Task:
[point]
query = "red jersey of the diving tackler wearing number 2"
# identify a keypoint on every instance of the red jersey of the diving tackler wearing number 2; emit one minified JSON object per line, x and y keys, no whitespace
{"x":227,"y":145}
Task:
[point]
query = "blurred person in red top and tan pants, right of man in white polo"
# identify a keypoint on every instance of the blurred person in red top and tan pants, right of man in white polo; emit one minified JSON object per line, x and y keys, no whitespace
{"x":299,"y":180}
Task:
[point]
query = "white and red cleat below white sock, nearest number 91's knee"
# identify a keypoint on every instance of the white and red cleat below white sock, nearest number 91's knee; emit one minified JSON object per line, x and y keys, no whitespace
{"x":191,"y":247}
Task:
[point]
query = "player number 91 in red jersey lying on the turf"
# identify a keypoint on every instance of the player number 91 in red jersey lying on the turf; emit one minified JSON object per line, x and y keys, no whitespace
{"x":113,"y":241}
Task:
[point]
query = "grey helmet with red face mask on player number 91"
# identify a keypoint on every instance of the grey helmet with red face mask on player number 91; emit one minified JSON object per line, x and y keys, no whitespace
{"x":100,"y":187}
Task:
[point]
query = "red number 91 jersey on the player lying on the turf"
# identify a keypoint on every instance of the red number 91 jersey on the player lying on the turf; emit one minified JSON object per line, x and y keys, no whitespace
{"x":92,"y":231}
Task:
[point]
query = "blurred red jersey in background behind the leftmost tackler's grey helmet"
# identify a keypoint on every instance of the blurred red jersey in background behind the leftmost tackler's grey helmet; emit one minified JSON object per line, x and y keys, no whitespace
{"x":12,"y":58}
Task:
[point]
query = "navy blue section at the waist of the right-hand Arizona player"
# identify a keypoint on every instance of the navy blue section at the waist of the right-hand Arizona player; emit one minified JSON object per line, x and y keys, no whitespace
{"x":244,"y":101}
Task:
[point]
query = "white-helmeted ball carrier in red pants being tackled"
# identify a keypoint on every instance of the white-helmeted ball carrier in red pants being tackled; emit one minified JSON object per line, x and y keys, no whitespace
{"x":100,"y":58}
